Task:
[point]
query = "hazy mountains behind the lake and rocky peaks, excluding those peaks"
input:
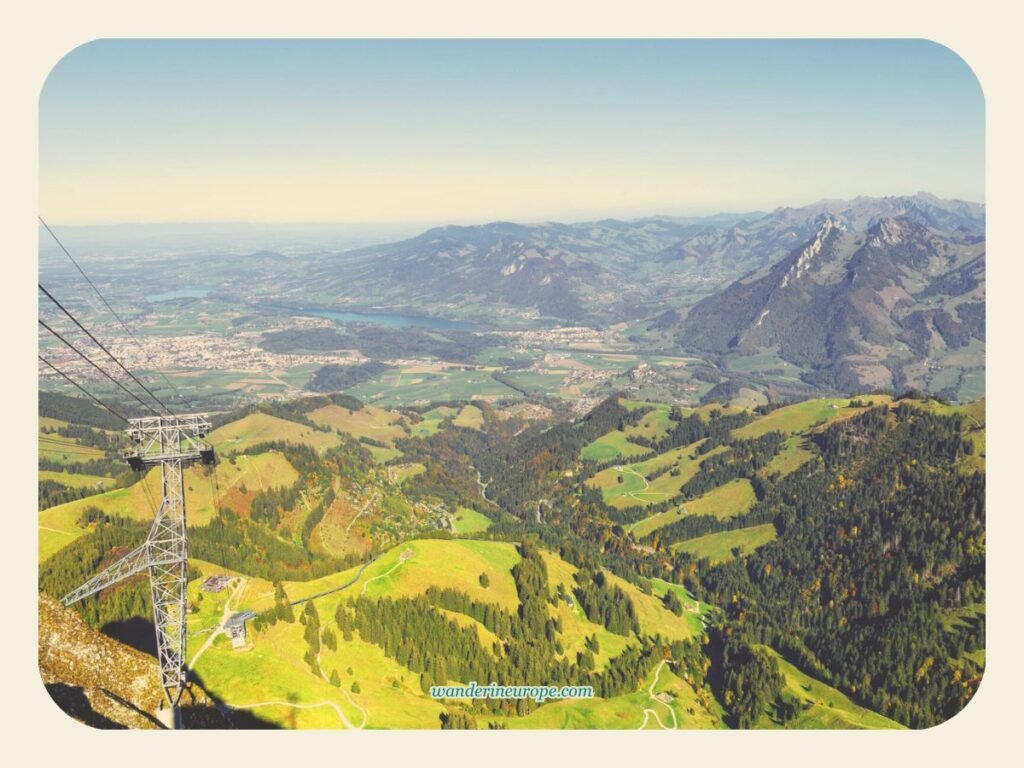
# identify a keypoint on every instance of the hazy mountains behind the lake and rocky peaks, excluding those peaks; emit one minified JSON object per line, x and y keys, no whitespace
{"x":605,"y":271}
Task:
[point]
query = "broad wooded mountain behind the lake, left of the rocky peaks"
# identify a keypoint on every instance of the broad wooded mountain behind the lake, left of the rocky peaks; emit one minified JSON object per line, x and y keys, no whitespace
{"x":577,"y":273}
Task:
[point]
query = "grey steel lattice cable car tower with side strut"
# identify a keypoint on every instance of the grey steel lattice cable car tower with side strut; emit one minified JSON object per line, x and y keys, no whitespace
{"x":173,"y":443}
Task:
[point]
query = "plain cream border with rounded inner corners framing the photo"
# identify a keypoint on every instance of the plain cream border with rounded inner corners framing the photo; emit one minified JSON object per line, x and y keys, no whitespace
{"x":984,"y":33}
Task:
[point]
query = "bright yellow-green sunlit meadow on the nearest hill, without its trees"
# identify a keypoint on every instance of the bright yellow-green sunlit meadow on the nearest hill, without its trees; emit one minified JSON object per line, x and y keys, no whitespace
{"x":271,"y":675}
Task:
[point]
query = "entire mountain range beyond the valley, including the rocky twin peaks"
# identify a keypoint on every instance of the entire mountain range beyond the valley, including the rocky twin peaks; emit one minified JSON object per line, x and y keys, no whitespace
{"x":856,"y":293}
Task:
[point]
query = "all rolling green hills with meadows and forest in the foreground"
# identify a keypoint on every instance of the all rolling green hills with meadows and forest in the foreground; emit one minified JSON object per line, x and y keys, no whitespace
{"x":543,"y":587}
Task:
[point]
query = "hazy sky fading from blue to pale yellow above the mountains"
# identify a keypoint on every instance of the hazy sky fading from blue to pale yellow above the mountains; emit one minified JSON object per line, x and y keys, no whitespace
{"x":461,"y":132}
